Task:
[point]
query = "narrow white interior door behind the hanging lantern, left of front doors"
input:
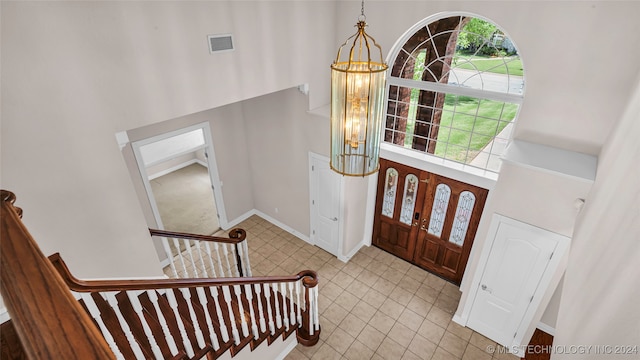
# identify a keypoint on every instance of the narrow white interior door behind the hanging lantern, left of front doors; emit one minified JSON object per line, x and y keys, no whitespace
{"x":325,"y":187}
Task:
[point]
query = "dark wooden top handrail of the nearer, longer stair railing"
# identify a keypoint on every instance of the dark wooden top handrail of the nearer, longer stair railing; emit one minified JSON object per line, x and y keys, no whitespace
{"x":310,"y":279}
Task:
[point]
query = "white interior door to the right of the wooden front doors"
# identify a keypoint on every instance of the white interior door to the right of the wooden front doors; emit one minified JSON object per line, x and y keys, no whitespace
{"x":518,"y":260}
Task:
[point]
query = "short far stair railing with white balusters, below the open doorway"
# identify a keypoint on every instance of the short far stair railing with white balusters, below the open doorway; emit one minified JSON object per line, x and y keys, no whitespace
{"x":203,"y":256}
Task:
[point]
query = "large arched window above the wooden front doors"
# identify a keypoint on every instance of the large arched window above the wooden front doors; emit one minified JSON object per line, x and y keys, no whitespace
{"x":454,"y":90}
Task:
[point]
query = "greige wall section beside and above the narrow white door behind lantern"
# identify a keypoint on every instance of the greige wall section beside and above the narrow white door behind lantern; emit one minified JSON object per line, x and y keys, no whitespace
{"x":280,"y":135}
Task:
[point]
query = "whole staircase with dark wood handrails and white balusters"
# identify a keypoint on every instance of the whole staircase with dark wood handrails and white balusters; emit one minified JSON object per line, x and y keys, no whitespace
{"x":199,"y":316}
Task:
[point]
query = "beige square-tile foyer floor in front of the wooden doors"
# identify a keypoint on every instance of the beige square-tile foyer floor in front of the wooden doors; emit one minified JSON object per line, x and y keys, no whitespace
{"x":376,"y":306}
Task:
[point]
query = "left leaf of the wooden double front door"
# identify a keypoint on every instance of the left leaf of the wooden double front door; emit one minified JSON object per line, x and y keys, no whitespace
{"x":401,"y":191}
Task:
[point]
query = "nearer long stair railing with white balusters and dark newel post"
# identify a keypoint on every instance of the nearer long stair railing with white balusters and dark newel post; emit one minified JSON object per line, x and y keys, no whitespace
{"x":174,"y":318}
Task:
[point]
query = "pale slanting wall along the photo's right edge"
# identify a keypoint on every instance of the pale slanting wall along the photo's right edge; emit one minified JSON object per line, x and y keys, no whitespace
{"x":600,"y":297}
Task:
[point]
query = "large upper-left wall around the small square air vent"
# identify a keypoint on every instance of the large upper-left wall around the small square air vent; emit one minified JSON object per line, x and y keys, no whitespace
{"x":75,"y":73}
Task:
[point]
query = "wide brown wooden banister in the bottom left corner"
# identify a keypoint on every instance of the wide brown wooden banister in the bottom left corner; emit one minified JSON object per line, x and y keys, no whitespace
{"x":50,"y":323}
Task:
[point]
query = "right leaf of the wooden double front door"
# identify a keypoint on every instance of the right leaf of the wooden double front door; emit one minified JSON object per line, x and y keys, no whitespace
{"x":451,"y":214}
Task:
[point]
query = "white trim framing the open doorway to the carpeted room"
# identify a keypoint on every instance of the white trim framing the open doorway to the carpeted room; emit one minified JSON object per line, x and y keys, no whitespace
{"x":211,"y":165}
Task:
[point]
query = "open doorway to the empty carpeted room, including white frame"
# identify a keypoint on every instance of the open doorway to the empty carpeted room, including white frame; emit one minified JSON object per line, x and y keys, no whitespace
{"x":181,"y":180}
